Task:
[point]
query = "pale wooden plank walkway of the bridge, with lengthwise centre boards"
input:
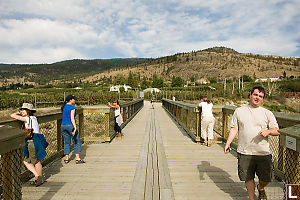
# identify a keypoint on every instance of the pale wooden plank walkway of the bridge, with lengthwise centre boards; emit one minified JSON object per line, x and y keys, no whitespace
{"x":154,"y":160}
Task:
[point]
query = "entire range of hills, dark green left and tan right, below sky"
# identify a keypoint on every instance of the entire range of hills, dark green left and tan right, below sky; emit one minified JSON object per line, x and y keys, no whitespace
{"x":217,"y":62}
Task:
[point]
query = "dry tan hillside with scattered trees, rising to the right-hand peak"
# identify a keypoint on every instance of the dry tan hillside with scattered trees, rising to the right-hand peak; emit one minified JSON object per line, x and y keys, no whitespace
{"x":217,"y":62}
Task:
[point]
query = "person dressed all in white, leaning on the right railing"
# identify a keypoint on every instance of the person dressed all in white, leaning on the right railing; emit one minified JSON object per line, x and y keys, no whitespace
{"x":207,"y":121}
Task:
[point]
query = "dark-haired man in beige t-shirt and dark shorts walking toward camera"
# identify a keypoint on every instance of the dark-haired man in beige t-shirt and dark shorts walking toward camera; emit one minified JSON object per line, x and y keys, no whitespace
{"x":253,"y":124}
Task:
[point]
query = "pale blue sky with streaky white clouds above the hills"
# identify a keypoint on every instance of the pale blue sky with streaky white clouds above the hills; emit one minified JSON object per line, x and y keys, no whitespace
{"x":48,"y":31}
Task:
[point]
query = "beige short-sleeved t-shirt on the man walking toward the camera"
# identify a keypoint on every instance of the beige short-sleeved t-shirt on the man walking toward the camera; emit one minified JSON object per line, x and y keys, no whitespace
{"x":249,"y":121}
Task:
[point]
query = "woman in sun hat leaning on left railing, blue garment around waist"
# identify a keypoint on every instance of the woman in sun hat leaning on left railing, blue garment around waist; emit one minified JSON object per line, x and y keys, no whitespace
{"x":35,"y":147}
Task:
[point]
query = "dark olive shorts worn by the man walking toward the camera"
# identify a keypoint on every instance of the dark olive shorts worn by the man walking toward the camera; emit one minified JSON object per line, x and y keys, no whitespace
{"x":249,"y":165}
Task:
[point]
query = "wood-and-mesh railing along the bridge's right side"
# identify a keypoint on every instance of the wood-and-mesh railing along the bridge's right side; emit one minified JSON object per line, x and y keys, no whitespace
{"x":284,"y":148}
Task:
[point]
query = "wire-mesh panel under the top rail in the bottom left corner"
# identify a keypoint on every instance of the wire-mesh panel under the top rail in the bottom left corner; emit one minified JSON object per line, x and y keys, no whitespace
{"x":11,"y":169}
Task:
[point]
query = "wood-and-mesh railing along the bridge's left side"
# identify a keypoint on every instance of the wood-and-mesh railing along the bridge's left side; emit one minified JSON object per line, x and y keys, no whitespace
{"x":13,"y":171}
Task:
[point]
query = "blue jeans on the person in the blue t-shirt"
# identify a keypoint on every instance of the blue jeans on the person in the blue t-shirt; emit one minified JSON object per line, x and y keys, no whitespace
{"x":67,"y":133}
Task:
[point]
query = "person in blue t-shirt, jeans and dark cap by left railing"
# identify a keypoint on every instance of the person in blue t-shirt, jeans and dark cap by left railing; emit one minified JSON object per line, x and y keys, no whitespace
{"x":69,"y":129}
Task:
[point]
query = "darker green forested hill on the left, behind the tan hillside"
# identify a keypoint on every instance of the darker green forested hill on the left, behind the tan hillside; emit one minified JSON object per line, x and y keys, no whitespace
{"x":70,"y":70}
